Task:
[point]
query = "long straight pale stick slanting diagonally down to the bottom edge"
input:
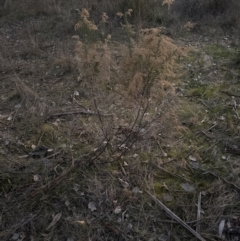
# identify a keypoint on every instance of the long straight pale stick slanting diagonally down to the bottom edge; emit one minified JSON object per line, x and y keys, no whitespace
{"x":174,"y":216}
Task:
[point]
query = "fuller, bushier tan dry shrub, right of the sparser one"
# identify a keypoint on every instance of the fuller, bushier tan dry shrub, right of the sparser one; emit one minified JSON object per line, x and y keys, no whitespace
{"x":153,"y":59}
